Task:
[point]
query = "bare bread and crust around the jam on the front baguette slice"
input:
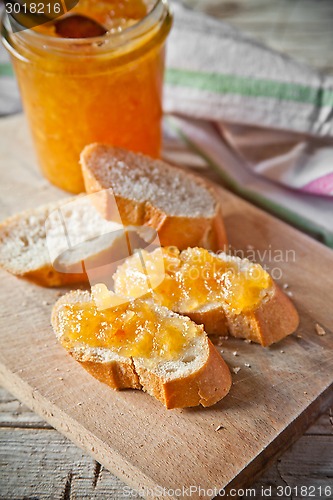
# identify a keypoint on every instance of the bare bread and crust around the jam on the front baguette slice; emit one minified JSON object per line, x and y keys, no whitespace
{"x":199,"y":376}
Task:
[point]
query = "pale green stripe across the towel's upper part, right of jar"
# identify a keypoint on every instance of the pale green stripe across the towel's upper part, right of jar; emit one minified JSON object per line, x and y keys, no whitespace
{"x":250,"y":87}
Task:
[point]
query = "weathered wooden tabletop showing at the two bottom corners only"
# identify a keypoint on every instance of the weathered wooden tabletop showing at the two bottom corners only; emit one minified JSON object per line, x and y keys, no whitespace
{"x":38,"y":462}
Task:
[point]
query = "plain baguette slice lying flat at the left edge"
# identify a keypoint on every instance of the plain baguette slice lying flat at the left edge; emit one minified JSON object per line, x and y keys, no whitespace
{"x":49,"y":244}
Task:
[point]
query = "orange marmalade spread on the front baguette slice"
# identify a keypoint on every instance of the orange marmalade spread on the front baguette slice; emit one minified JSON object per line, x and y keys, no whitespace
{"x":135,"y":328}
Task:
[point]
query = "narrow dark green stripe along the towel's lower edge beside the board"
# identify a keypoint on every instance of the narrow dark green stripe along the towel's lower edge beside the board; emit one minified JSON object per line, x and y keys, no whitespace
{"x":259,"y":200}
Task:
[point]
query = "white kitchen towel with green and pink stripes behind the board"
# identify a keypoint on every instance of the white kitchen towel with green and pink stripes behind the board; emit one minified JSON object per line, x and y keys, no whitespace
{"x":262,"y":120}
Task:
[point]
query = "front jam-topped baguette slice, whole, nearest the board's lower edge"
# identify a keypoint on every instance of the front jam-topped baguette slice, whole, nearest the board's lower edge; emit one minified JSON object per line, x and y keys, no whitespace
{"x":141,"y":345}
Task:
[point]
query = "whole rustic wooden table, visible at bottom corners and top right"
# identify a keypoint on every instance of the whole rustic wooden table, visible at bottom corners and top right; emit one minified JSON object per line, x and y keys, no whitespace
{"x":39,"y":463}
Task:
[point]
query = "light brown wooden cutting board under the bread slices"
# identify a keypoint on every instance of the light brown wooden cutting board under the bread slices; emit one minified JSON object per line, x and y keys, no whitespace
{"x":271,"y":402}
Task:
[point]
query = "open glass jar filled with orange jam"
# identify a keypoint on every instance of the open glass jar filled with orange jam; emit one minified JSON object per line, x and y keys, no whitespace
{"x":99,"y":89}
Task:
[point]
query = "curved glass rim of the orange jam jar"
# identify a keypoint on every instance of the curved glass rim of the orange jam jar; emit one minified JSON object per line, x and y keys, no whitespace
{"x":111,"y":40}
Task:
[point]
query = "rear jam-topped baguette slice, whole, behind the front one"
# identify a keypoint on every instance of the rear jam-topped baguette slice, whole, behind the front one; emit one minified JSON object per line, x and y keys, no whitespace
{"x":271,"y":317}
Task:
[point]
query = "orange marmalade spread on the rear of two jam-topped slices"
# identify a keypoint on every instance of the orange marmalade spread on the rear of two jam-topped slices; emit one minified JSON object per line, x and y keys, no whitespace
{"x":195,"y":277}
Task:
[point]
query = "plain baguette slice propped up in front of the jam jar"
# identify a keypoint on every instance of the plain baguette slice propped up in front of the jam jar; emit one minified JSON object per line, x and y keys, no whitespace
{"x":182,"y":207}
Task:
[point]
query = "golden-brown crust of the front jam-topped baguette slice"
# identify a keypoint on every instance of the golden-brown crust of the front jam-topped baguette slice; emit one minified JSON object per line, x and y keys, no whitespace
{"x":206,"y":386}
